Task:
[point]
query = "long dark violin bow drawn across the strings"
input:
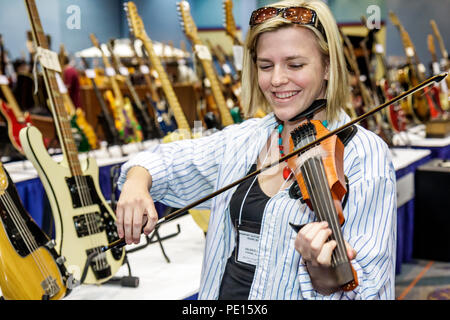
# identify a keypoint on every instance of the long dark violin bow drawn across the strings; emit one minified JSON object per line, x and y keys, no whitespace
{"x":437,"y":78}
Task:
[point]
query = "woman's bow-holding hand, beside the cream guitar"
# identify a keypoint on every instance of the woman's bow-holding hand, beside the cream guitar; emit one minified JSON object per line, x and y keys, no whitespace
{"x":135,"y":207}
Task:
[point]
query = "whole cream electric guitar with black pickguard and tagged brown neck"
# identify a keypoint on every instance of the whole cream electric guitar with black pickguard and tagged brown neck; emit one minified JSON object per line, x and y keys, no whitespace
{"x":83,"y":220}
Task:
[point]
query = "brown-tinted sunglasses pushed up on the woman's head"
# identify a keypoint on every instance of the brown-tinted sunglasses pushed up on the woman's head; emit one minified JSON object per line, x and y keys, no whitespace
{"x":298,"y":15}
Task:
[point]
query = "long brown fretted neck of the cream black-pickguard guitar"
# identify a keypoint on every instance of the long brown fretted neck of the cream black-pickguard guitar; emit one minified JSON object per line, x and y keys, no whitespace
{"x":60,"y":116}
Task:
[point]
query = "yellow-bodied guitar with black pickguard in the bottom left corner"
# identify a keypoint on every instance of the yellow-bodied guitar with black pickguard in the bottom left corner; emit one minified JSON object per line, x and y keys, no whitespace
{"x":30,"y":267}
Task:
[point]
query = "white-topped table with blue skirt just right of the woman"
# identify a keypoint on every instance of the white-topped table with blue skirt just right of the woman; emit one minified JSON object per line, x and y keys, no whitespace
{"x":405,"y":163}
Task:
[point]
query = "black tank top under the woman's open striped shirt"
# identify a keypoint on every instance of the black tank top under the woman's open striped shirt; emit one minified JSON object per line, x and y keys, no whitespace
{"x":238,"y":277}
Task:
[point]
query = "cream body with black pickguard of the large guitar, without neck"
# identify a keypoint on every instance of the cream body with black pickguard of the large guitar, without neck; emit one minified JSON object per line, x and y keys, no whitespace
{"x":83,"y":220}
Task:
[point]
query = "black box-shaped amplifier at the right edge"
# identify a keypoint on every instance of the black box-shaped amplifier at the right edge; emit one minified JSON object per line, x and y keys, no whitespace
{"x":432,"y":211}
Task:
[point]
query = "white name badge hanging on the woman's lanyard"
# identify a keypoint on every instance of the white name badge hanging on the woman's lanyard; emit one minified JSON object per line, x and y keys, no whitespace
{"x":247,"y":243}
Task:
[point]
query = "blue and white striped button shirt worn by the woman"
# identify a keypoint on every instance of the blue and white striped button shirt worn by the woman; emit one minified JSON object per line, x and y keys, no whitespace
{"x":185,"y":171}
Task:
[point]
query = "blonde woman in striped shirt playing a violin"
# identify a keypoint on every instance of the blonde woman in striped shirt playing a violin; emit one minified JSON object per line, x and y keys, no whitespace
{"x":293,"y":67}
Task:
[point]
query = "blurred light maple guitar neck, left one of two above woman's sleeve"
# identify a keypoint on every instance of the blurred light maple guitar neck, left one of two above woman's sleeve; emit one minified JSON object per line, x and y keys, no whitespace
{"x":171,"y":97}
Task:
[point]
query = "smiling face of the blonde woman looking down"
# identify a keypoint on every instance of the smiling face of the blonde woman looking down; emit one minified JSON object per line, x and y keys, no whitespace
{"x":291,"y":70}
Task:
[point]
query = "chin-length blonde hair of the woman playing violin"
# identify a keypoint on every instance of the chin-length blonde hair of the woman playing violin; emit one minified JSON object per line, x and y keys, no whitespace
{"x":337,"y":85}
